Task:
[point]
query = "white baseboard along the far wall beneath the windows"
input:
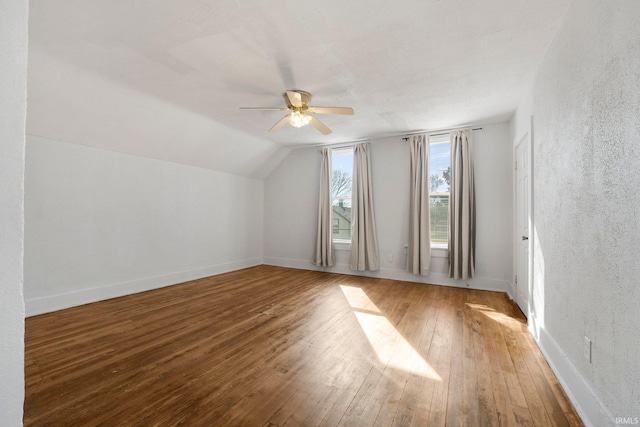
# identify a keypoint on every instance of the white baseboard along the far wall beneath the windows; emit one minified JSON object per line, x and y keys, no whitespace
{"x":434,"y":278}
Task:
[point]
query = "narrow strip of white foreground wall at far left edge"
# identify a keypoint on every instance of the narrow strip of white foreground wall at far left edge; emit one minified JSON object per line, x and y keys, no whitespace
{"x":13,"y":89}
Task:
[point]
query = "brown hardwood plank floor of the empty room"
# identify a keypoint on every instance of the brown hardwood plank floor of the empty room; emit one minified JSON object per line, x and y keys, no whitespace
{"x":275,"y":346}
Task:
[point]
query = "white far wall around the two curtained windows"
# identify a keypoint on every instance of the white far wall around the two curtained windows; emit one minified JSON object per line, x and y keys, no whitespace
{"x":291,"y":204}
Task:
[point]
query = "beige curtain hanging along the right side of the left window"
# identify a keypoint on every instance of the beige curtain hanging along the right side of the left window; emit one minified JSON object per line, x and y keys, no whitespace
{"x":364,"y":244}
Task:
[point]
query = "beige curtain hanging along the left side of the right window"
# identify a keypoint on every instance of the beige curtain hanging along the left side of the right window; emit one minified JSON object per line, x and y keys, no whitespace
{"x":419,"y":251}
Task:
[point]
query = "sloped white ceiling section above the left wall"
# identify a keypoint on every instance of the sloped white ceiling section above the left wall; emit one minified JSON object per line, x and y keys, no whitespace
{"x":70,"y":104}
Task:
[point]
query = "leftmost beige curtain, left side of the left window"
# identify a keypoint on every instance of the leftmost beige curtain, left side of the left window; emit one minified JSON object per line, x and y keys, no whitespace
{"x":323,"y":252}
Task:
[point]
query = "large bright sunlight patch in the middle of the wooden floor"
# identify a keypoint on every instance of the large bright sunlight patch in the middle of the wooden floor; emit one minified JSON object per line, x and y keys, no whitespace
{"x":391,"y":348}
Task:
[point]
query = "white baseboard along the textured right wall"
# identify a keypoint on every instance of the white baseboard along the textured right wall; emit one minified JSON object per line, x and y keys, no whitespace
{"x":582,"y":396}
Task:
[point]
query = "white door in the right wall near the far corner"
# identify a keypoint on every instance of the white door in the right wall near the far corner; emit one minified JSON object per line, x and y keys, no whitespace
{"x":522,"y":224}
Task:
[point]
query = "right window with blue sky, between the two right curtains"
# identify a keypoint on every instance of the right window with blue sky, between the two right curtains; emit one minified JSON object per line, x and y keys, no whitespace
{"x":439,"y":184}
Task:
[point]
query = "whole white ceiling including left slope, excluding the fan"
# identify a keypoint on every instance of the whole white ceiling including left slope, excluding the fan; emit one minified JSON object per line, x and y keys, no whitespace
{"x":165,"y":79}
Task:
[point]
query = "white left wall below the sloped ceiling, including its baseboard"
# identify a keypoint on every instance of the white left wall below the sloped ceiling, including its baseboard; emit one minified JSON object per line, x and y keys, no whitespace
{"x":101,"y":224}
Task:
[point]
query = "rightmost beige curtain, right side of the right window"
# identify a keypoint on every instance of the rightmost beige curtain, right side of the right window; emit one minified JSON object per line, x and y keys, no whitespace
{"x":462,"y":209}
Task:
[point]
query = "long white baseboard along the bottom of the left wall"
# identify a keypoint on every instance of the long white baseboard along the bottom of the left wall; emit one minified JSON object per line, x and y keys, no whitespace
{"x":49,"y":303}
